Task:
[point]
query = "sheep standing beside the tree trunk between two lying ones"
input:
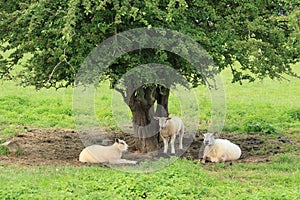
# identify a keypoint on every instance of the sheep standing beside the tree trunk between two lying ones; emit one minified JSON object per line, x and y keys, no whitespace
{"x":169,"y":128}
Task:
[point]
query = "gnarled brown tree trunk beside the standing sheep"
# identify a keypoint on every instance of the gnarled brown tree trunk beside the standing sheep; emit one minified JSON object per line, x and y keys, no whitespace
{"x":141,"y":103}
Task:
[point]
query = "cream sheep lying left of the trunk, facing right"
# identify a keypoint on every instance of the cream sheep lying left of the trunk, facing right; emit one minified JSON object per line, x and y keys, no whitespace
{"x":105,"y":154}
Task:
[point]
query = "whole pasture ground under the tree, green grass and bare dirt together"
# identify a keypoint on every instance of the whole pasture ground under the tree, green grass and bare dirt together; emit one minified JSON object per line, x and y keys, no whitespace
{"x":263,"y":117}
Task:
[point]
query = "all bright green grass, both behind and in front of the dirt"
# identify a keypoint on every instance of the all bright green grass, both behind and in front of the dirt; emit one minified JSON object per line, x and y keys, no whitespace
{"x":268,"y":107}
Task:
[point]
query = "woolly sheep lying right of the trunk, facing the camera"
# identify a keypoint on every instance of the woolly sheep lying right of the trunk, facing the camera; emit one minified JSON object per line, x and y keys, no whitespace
{"x":218,"y":150}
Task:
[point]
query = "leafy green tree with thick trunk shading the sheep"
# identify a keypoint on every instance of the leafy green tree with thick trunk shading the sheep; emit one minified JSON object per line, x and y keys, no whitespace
{"x":263,"y":36}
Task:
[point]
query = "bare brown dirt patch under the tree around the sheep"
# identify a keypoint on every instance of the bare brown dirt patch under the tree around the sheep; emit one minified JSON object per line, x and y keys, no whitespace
{"x":63,"y":146}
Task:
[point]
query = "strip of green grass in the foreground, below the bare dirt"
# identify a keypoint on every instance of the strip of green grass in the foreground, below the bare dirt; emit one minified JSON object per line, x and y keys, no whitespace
{"x":183,"y":179}
